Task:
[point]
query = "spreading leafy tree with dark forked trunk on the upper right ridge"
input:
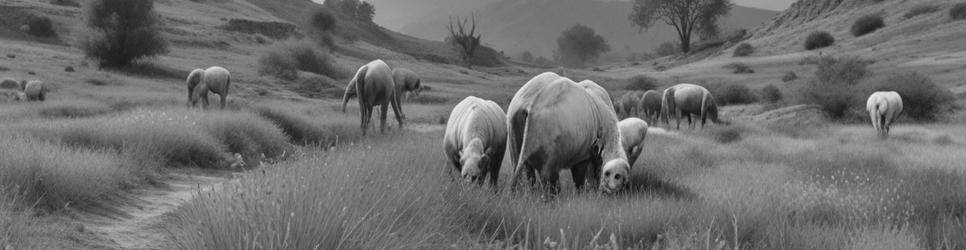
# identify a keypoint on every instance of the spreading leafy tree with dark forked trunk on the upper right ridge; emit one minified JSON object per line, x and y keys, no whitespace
{"x":686,"y":16}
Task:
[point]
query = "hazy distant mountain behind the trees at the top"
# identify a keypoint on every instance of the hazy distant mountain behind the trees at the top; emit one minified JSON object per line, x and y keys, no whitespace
{"x":515,"y":26}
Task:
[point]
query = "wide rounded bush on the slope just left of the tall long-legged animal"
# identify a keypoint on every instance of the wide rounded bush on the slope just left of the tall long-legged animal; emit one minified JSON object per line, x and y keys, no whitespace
{"x":284,"y":60}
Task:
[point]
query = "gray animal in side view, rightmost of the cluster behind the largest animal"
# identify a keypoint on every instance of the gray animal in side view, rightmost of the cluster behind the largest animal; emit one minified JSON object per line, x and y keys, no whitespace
{"x":689,"y":100}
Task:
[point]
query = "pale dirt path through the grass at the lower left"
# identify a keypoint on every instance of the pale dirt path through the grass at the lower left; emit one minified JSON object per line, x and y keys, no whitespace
{"x":137,"y":222}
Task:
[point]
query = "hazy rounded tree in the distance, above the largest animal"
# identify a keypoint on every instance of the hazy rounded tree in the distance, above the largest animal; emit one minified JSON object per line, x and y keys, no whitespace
{"x":580,"y":44}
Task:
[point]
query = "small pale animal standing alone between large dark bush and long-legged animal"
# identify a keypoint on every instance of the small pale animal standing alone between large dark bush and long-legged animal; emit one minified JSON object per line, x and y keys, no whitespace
{"x":201,"y":81}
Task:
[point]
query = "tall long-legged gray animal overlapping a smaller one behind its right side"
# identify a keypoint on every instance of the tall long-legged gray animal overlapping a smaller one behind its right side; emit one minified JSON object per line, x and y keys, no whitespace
{"x":374,"y":86}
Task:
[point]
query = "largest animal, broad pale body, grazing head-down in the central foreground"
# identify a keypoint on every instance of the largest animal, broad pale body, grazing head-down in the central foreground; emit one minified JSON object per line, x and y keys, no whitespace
{"x":554,"y":124}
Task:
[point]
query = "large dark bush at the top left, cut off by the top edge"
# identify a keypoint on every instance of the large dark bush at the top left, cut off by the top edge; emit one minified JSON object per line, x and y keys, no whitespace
{"x":121,"y":31}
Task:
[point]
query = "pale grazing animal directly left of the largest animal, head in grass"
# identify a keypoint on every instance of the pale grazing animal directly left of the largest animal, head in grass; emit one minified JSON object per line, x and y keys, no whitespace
{"x":475,"y":139}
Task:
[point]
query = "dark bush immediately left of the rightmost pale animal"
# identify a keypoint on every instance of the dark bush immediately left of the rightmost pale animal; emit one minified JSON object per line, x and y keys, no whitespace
{"x":834,"y":85}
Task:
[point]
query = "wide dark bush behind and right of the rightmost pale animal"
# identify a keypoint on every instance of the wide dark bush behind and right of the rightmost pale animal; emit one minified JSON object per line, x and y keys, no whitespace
{"x":922,"y":99}
